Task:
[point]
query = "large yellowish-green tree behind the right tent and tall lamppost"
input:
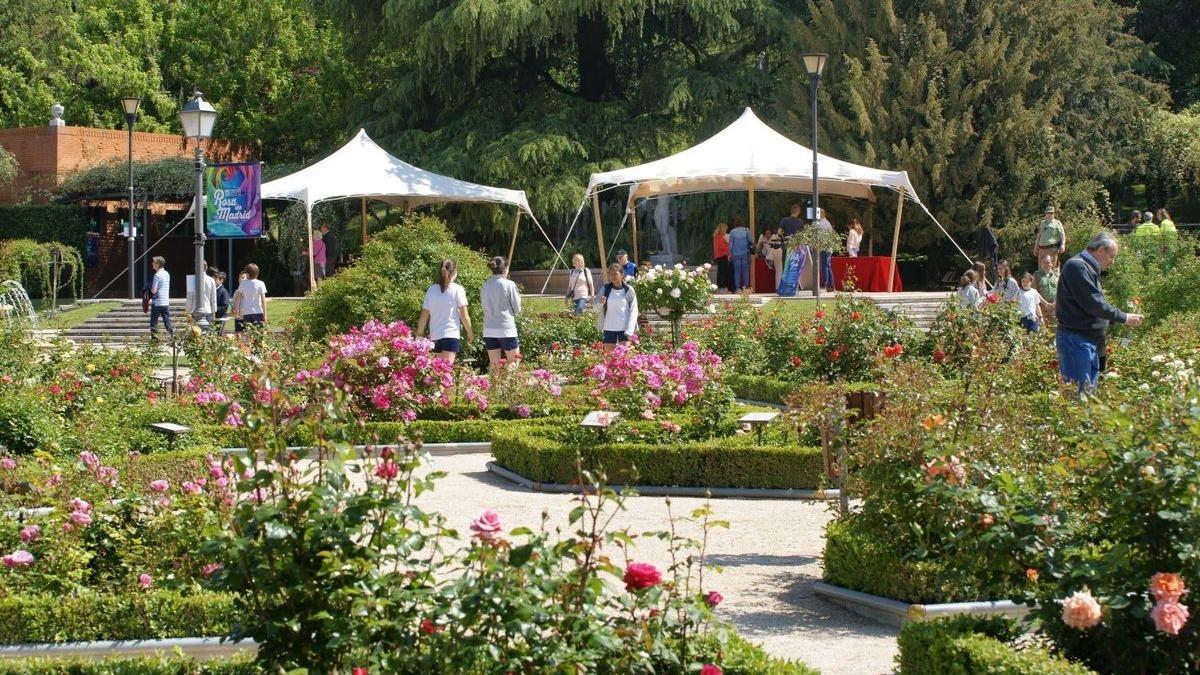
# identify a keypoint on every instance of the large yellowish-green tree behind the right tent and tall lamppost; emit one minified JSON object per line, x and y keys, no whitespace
{"x":995,"y":107}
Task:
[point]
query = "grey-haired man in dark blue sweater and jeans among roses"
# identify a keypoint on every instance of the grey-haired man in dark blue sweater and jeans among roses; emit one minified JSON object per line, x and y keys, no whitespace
{"x":1084,"y":314}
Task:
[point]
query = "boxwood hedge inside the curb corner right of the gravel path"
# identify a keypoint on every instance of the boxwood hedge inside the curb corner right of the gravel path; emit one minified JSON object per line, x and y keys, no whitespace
{"x":857,"y":559}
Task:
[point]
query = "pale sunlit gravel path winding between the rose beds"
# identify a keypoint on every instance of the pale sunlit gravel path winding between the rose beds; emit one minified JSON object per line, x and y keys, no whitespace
{"x":771,"y":557}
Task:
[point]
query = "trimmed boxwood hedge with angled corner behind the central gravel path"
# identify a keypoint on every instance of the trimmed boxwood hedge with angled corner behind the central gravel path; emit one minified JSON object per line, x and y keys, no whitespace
{"x":538,"y":453}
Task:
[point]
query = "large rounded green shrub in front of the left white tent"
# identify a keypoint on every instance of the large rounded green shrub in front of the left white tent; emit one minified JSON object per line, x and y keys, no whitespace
{"x":389,"y":282}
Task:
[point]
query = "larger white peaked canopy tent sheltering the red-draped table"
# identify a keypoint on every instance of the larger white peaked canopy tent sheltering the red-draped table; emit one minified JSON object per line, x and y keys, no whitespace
{"x":748,"y":156}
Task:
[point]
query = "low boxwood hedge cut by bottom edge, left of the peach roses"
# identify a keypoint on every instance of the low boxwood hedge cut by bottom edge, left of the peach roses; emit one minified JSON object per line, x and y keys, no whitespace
{"x":969,"y":646}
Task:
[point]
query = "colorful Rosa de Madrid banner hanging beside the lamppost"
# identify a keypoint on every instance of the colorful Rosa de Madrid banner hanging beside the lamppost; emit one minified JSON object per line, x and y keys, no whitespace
{"x":235,"y":202}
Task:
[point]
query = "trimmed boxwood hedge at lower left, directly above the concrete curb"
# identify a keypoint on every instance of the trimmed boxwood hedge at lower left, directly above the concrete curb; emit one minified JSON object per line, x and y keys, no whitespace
{"x":46,"y":618}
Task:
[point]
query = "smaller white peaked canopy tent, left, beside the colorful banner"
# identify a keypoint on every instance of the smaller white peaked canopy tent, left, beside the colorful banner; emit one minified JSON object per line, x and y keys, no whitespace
{"x":364,"y":170}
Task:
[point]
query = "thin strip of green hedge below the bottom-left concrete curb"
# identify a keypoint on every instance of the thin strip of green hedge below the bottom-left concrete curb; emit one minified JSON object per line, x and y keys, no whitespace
{"x":137,"y":666}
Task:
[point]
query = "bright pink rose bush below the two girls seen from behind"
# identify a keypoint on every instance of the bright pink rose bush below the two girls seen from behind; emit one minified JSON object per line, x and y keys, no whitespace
{"x":391,"y":375}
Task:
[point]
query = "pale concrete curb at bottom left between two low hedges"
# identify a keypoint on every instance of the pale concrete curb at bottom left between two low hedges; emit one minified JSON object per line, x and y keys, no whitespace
{"x":197,"y":648}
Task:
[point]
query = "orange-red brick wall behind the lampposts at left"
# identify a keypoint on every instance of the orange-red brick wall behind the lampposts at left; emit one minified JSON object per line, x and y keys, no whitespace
{"x":47,"y":154}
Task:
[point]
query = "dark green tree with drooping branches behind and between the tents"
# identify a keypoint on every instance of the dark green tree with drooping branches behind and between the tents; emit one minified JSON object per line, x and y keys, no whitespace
{"x":538,"y":95}
